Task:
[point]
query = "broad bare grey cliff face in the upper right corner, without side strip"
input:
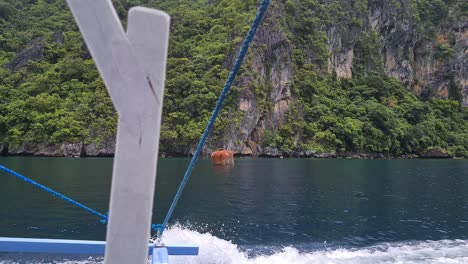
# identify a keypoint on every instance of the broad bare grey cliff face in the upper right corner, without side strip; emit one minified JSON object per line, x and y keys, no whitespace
{"x":416,"y":58}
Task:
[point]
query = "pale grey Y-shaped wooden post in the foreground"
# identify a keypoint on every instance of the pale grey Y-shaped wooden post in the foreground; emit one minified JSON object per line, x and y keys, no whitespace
{"x":134,"y":77}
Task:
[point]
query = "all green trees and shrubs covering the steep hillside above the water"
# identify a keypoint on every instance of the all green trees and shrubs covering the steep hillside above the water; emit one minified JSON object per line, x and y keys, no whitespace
{"x":58,"y":96}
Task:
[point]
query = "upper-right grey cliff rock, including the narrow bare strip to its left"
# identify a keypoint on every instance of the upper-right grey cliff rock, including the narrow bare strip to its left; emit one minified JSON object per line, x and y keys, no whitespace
{"x":422,"y":60}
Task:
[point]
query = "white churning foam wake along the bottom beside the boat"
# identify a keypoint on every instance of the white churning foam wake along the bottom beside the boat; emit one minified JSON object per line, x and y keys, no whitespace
{"x":214,"y":250}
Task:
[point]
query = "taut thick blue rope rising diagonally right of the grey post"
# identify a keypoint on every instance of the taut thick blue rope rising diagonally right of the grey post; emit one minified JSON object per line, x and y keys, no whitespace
{"x":243,"y":51}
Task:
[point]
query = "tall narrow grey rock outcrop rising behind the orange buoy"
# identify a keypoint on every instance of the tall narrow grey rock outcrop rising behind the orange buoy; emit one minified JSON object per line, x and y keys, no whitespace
{"x":271,"y":71}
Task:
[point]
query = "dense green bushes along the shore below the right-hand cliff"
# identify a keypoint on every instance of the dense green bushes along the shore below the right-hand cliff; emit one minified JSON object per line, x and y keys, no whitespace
{"x":369,"y":114}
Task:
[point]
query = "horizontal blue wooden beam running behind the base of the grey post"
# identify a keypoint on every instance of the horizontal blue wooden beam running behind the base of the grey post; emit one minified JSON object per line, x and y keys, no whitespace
{"x":78,"y":247}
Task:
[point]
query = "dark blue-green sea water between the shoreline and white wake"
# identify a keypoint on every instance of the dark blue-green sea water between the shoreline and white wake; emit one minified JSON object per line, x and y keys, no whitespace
{"x":260,"y":205}
